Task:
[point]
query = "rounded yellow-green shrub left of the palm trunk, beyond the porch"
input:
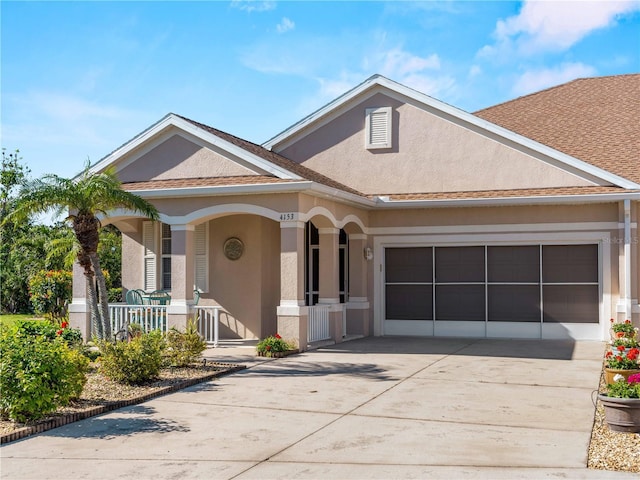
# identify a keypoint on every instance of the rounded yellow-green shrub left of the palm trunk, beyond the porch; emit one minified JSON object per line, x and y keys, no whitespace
{"x":50,"y":292}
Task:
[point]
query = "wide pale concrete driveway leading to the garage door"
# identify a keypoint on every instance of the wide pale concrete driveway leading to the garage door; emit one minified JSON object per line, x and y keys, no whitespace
{"x":375,"y":408}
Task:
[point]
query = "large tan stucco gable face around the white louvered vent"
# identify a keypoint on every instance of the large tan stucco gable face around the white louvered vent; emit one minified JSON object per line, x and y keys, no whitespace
{"x":429,"y":154}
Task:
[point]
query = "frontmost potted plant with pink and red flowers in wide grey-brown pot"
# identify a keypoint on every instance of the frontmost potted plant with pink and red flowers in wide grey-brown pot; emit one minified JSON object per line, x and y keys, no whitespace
{"x":622,"y":404}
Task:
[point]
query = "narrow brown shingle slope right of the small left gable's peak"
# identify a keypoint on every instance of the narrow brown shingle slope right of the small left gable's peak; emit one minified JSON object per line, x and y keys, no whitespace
{"x":274,"y":158}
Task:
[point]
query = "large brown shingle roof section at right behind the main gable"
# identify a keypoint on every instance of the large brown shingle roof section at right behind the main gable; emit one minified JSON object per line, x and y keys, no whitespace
{"x":596,"y":120}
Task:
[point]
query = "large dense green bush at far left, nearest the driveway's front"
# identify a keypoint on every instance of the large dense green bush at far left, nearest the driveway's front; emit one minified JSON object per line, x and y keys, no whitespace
{"x":38,"y":373}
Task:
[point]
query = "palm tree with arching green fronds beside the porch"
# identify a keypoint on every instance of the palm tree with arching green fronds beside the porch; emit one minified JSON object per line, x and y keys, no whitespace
{"x":84,"y":197}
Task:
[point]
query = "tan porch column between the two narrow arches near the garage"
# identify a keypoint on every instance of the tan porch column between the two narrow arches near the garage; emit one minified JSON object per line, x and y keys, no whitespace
{"x":329,"y":276}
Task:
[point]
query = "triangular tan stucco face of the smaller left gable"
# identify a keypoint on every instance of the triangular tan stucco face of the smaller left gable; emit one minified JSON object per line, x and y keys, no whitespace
{"x":178,"y":157}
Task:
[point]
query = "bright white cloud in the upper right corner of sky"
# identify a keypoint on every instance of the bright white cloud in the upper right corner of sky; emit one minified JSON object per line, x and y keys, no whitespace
{"x":554,"y":25}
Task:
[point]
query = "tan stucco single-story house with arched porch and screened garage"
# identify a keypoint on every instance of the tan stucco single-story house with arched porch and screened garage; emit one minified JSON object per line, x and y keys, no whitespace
{"x":388,"y":212}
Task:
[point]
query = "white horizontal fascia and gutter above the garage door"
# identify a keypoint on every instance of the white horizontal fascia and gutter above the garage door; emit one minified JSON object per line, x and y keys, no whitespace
{"x":510,"y":201}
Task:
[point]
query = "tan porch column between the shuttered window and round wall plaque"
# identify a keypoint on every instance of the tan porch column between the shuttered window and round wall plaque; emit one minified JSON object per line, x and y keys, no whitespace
{"x":182,"y":275}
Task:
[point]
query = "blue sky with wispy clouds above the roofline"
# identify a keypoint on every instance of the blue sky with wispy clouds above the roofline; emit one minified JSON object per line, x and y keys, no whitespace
{"x":79,"y":79}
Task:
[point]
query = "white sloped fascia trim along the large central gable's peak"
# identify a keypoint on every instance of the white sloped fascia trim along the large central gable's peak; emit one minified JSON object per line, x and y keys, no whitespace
{"x":377,"y":83}
